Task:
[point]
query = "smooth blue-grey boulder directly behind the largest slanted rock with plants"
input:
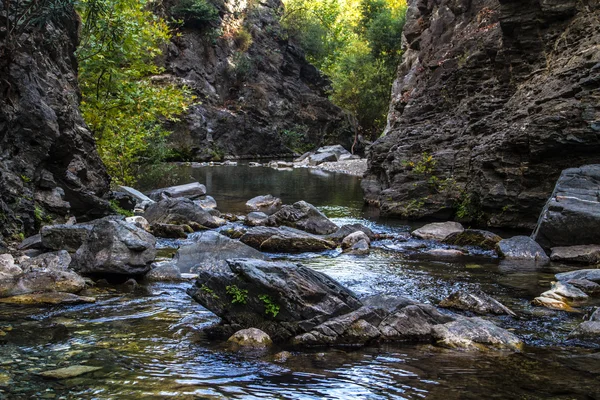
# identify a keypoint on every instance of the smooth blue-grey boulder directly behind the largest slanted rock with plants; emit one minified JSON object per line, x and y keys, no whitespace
{"x":210,"y":249}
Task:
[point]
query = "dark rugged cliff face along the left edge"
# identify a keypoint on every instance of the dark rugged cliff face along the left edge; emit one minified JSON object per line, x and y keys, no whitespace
{"x":49,"y":166}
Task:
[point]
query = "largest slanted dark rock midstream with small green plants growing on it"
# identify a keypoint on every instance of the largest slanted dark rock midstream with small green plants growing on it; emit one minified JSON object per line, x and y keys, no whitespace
{"x":305,"y":297}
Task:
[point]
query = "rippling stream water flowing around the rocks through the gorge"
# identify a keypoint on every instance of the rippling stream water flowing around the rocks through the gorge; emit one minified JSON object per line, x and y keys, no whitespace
{"x":149,"y":344}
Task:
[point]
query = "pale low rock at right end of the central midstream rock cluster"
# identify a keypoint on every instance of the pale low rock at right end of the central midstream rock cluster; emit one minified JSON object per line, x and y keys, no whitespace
{"x":474,"y":334}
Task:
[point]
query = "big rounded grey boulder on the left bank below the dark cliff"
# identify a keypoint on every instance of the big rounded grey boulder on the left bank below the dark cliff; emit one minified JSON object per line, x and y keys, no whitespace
{"x":115,"y":247}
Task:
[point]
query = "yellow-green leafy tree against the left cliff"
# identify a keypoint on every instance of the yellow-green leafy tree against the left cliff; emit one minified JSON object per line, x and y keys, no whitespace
{"x":123,"y":100}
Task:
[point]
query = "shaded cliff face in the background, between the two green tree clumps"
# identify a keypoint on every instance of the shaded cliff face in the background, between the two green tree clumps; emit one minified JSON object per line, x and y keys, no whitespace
{"x":266,"y":100}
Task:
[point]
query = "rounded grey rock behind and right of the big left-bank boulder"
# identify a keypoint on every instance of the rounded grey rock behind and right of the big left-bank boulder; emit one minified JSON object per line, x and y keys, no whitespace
{"x":181,"y":211}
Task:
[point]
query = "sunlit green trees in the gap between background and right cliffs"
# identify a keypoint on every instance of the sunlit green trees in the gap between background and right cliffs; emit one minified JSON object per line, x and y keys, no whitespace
{"x":357,"y":44}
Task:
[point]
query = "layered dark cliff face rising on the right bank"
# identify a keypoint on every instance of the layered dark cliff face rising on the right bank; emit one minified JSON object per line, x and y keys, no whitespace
{"x":493,"y":99}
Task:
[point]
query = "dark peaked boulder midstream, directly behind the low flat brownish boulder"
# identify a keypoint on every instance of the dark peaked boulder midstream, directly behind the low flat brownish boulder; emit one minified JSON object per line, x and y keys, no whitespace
{"x":304,"y":216}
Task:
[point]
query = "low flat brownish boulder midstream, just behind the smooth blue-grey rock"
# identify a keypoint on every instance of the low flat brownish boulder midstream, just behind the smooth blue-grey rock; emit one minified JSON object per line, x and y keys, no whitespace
{"x":285,"y":240}
